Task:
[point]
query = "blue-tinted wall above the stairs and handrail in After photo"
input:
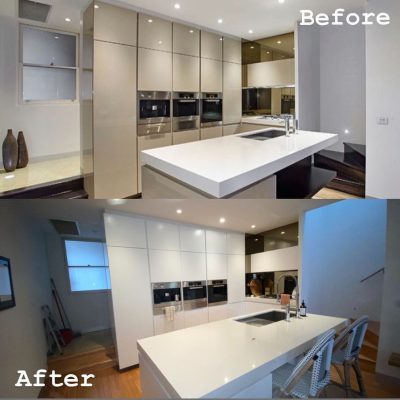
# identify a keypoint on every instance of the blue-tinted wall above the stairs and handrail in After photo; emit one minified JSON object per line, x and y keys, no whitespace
{"x":342,"y":244}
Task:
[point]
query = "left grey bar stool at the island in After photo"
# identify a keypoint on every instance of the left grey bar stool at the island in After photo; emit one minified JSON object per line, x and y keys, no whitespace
{"x":311,"y":375}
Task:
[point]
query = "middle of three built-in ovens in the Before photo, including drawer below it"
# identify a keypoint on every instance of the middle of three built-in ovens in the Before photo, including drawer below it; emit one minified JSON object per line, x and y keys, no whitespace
{"x":186,"y":112}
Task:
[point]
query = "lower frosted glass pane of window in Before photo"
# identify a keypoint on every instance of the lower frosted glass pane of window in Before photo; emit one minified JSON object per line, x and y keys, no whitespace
{"x":48,"y":84}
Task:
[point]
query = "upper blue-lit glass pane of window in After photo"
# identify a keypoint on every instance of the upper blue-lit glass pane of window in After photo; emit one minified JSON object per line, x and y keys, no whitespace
{"x":85,"y":254}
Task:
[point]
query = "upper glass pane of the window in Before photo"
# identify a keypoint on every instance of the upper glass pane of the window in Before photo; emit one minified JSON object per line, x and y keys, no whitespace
{"x":42,"y":47}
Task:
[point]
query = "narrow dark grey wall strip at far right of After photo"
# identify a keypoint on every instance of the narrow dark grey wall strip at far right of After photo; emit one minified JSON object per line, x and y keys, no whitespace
{"x":389,"y":341}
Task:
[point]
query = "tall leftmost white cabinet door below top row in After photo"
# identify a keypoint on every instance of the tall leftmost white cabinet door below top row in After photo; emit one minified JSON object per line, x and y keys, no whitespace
{"x":131,"y":299}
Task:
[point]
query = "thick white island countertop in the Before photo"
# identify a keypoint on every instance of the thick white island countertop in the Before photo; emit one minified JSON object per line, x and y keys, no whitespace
{"x":223,"y":166}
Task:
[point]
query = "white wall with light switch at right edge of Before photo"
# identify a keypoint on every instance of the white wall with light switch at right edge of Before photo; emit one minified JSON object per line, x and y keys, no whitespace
{"x":383,"y":99}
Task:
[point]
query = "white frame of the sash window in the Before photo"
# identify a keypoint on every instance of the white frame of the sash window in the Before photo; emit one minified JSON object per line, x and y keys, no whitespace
{"x":21,"y":66}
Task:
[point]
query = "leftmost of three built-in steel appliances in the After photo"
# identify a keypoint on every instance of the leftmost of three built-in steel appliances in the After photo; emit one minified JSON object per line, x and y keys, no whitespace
{"x":166,"y":295}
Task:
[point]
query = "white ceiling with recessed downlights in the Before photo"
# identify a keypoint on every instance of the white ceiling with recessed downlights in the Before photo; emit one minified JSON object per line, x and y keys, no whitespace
{"x":264,"y":17}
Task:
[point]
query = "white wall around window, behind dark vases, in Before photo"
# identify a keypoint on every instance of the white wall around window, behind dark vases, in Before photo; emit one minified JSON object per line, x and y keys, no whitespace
{"x":49,"y":129}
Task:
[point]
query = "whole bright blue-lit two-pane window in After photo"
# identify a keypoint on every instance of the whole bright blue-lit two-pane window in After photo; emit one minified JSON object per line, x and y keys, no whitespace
{"x":87,"y":264}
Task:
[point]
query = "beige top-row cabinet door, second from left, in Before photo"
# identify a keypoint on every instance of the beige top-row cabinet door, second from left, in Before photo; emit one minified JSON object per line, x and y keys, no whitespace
{"x":155,"y":33}
